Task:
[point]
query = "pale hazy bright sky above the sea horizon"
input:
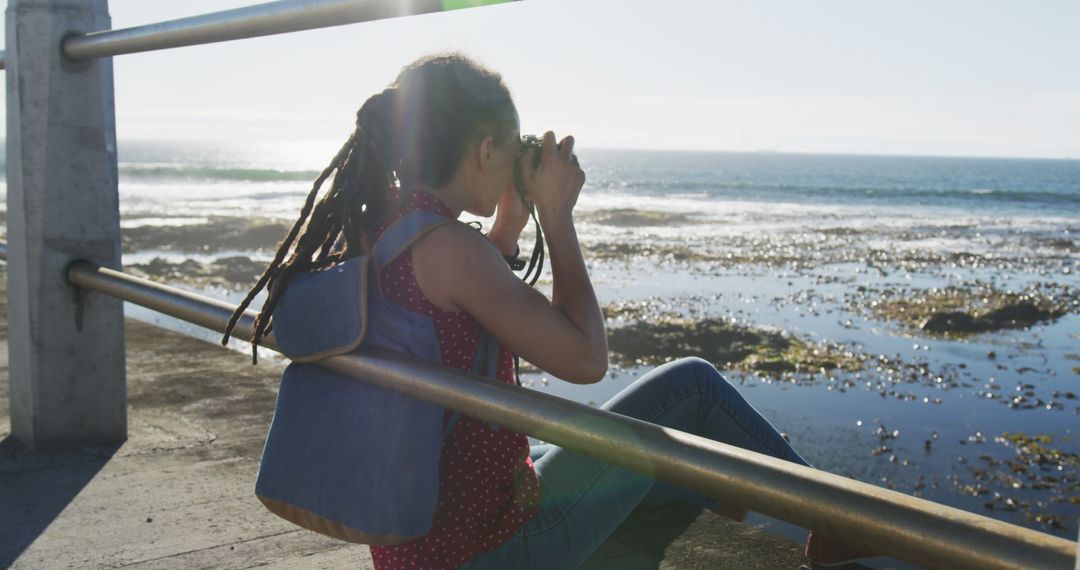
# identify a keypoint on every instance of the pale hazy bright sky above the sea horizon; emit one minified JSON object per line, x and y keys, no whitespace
{"x":966,"y":78}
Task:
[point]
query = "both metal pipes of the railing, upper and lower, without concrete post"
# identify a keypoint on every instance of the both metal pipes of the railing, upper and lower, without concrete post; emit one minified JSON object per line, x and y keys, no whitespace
{"x":906,"y":527}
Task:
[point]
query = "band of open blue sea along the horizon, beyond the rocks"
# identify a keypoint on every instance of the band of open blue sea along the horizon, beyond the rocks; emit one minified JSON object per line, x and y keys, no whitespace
{"x":931,"y":182}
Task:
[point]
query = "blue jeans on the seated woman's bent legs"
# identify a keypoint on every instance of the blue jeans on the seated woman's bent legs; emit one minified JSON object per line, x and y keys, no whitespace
{"x":584,"y":500}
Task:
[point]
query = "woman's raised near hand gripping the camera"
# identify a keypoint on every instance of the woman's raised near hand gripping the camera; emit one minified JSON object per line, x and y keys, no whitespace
{"x":555,"y":186}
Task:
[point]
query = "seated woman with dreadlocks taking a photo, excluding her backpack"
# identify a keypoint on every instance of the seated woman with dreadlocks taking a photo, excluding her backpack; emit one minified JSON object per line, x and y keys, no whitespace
{"x":444,"y":138}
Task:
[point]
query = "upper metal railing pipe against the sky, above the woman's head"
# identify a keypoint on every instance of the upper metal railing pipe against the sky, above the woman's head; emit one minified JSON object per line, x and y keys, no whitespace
{"x":251,"y":22}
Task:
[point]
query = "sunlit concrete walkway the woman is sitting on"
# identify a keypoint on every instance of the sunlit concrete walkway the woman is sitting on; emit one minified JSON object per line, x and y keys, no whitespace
{"x":179,"y":493}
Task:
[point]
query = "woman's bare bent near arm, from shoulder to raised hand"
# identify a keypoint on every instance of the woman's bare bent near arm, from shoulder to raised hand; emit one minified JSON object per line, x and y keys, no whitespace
{"x":460,"y":269}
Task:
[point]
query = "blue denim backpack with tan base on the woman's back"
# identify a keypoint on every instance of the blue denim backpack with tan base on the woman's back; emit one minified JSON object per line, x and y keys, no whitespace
{"x":344,"y":457}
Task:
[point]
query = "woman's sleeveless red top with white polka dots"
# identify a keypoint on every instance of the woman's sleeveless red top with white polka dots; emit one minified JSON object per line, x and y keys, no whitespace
{"x":488,"y":485}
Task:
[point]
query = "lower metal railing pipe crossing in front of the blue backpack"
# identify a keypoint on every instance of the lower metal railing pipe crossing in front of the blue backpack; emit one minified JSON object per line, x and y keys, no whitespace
{"x":906,"y":527}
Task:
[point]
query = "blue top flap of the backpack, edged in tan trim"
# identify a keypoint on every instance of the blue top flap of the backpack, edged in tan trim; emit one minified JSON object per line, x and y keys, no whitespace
{"x":323,"y":314}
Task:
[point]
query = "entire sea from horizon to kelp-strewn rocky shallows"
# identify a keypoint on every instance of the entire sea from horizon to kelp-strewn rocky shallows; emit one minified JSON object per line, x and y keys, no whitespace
{"x":841,"y":259}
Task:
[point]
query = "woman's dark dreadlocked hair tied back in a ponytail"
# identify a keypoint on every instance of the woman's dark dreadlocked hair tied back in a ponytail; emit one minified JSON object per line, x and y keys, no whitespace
{"x":430,"y":115}
